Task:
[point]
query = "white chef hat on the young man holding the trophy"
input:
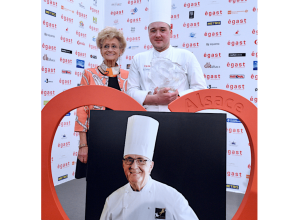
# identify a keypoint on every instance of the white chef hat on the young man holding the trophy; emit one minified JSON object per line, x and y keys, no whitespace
{"x":160,"y":11}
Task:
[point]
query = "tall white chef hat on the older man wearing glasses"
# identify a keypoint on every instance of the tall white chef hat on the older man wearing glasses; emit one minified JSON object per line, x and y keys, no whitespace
{"x":141,"y":136}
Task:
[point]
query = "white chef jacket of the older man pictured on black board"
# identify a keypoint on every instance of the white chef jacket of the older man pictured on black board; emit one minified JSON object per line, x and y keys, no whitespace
{"x":126,"y":204}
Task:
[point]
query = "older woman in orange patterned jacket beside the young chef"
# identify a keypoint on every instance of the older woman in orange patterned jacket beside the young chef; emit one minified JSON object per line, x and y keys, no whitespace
{"x":112,"y":45}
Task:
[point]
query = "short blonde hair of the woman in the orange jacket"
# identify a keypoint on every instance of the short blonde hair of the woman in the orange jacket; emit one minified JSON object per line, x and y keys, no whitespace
{"x":110,"y":33}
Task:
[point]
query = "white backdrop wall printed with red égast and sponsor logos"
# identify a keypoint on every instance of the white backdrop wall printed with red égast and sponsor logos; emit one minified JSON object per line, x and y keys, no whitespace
{"x":221,"y":33}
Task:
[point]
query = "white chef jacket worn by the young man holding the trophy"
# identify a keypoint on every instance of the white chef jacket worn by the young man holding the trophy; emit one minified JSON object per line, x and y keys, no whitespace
{"x":138,"y":83}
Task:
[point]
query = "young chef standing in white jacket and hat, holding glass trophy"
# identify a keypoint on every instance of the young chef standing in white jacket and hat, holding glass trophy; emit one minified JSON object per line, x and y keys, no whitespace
{"x":159,"y":31}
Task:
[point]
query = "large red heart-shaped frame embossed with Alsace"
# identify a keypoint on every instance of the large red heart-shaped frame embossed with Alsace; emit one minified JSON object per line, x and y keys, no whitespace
{"x":60,"y":105}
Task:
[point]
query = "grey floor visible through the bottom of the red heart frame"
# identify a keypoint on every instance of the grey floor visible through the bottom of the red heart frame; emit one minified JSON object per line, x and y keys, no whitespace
{"x":72,"y":196}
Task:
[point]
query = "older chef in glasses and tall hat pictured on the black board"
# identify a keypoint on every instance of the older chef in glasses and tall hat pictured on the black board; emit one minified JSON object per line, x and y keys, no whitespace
{"x":143,"y":197}
